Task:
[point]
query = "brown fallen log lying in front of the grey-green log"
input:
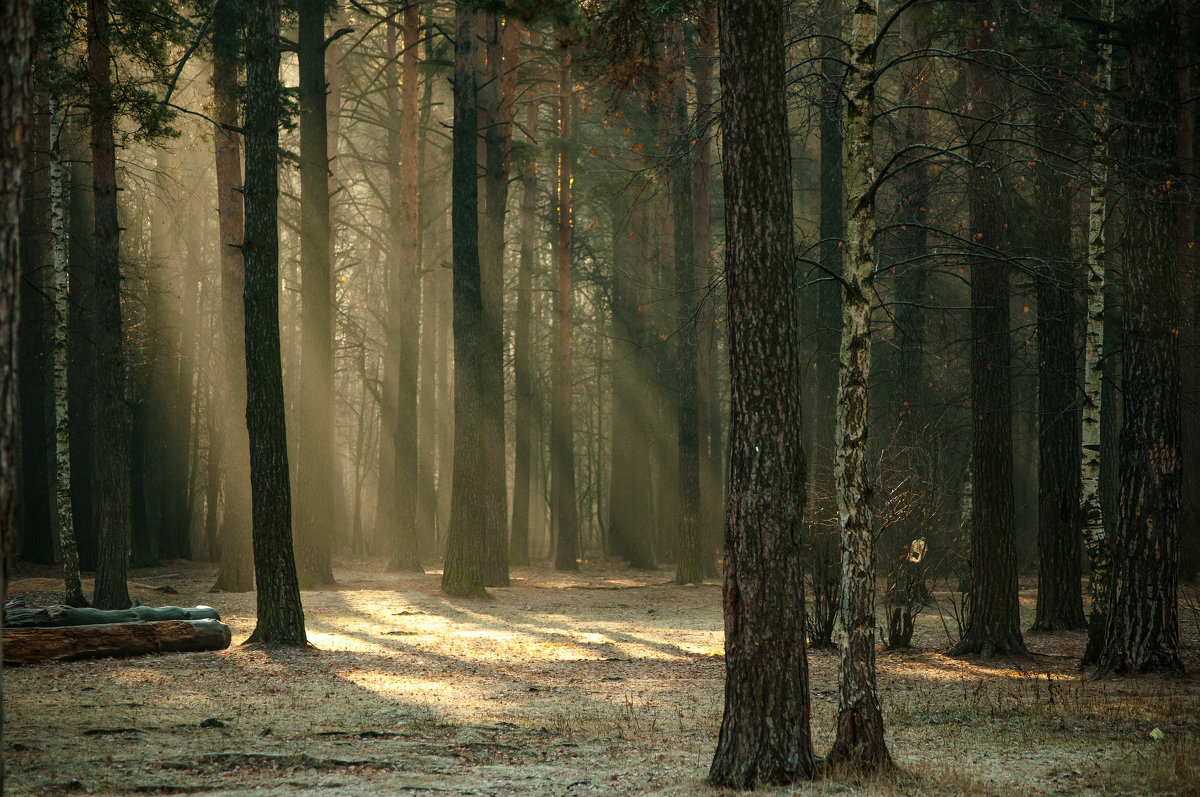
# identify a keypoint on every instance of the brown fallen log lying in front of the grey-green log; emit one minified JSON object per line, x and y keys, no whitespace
{"x":71,"y":643}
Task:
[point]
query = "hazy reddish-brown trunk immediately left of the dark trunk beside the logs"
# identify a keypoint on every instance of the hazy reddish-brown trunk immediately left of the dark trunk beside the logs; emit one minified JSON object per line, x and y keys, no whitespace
{"x":236,"y":572}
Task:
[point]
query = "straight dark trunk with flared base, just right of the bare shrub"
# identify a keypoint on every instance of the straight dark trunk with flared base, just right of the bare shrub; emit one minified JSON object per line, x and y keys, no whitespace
{"x":994,"y":622}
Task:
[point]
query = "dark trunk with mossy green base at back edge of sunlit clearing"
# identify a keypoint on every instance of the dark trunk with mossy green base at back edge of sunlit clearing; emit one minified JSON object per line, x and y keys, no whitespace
{"x":464,"y":571}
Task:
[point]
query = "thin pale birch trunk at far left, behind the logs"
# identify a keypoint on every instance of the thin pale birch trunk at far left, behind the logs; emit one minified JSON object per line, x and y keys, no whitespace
{"x":61,"y":187}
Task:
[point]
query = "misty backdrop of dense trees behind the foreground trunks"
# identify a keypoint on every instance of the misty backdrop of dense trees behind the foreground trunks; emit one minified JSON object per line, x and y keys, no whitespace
{"x":581,"y":350}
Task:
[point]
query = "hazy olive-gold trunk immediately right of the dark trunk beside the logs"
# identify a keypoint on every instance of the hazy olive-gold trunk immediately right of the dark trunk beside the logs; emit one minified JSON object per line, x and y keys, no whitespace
{"x":315,"y":445}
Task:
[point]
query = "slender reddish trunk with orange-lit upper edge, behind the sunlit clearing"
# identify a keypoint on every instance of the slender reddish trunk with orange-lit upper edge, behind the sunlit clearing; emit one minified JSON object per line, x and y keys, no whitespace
{"x":561,"y":426}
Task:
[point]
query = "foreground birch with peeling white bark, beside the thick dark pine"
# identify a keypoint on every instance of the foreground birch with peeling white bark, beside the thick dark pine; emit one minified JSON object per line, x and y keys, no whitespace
{"x":860,"y":744}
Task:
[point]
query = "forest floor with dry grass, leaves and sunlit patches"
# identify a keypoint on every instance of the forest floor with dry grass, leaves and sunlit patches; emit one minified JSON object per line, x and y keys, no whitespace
{"x":603,"y":682}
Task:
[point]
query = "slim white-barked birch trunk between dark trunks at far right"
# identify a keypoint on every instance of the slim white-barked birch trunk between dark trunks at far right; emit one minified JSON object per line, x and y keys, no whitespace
{"x":1093,"y":517}
